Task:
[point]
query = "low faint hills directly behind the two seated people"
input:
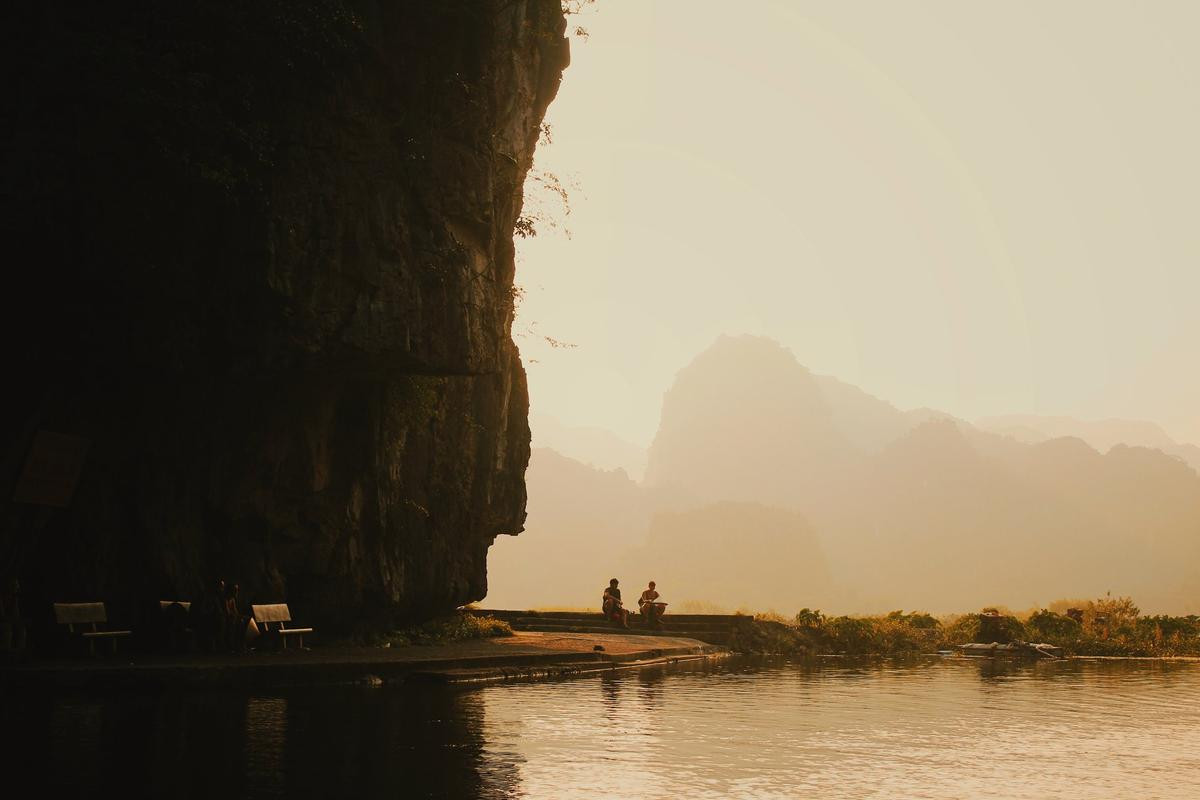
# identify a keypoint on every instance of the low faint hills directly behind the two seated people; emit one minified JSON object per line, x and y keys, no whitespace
{"x":587,"y":526}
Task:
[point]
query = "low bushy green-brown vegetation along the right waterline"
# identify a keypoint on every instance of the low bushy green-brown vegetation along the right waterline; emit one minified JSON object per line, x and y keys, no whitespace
{"x":1108,"y":627}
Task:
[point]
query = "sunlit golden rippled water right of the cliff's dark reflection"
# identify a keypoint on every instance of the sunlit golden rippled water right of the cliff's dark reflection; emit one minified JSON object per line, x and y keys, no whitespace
{"x":928,"y":730}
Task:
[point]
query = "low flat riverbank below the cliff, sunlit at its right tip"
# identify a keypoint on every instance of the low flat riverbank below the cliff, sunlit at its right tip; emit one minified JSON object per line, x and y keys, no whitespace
{"x":521,"y":657}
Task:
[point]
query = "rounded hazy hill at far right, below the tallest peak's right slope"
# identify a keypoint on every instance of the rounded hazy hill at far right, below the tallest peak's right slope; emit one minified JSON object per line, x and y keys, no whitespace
{"x":953,"y":522}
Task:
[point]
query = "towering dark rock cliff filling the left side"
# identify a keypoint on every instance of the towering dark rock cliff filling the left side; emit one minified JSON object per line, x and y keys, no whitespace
{"x":273,"y":298}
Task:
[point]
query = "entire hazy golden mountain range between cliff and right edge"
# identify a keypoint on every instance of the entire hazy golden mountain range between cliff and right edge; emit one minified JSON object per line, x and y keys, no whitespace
{"x":770,"y":488}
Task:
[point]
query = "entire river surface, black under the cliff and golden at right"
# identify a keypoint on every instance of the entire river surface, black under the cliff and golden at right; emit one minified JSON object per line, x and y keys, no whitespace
{"x":745,"y":730}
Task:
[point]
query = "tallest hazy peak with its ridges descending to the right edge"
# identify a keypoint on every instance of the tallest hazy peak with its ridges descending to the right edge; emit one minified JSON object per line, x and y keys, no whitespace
{"x":917,"y":508}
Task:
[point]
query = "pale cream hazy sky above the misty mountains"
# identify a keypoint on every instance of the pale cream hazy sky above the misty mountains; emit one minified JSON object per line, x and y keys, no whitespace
{"x":981,"y":208}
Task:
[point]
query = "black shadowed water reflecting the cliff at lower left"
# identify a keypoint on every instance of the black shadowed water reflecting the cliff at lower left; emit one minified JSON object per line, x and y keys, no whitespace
{"x":319,"y":743}
